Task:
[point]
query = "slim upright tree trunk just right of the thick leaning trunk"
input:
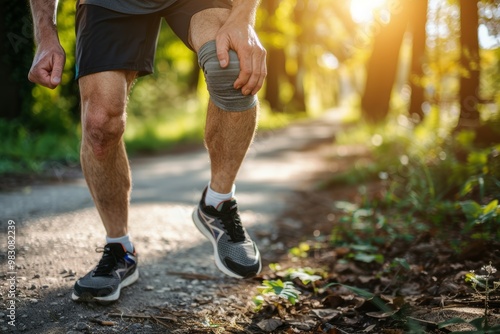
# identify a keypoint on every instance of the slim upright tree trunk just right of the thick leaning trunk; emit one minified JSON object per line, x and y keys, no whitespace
{"x":418,"y":21}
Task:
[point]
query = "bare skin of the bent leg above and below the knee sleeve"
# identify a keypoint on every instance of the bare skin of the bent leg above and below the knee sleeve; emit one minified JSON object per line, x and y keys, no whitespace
{"x":228,"y":135}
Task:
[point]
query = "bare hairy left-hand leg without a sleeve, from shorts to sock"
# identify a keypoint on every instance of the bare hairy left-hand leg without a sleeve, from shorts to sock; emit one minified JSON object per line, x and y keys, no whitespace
{"x":103,"y":157}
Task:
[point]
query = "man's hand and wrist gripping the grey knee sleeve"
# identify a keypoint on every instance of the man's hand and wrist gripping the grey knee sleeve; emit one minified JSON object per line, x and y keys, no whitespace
{"x":238,"y":34}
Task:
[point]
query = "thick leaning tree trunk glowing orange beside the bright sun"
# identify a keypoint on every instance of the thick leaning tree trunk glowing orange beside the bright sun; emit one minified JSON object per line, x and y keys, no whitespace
{"x":383,"y":65}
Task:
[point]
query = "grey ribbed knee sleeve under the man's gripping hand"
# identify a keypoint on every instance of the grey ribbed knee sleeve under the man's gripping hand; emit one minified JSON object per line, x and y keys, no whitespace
{"x":220,"y":80}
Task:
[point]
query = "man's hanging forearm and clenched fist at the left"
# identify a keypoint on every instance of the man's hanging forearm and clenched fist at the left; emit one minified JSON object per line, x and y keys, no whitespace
{"x":49,"y":59}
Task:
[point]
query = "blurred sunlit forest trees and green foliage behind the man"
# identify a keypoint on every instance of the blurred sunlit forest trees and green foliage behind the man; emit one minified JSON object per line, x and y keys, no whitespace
{"x":419,"y":79}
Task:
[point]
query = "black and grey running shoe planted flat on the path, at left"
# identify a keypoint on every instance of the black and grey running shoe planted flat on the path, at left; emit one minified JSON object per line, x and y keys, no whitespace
{"x":116,"y":270}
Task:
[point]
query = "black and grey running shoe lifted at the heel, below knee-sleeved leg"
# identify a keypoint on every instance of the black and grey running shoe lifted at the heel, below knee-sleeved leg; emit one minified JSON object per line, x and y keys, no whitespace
{"x":236,"y":254}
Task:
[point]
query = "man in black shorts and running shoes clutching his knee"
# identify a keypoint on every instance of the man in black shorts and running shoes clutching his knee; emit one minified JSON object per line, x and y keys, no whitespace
{"x":116,"y":41}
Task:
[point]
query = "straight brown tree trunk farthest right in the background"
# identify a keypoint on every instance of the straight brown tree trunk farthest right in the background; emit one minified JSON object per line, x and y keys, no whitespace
{"x":470,"y":62}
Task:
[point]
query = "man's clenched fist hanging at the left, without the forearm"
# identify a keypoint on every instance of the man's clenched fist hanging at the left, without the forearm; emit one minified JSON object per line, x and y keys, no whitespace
{"x":48,"y":65}
